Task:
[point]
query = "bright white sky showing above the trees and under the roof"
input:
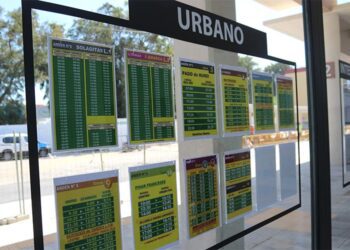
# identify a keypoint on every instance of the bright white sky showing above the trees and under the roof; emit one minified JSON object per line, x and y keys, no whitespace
{"x":248,"y":12}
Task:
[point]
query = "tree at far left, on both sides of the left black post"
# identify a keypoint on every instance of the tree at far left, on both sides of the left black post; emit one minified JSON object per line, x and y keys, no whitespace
{"x":11,"y":57}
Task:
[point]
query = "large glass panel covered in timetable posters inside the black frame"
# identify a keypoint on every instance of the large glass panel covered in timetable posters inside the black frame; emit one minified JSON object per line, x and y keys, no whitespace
{"x":221,"y":189}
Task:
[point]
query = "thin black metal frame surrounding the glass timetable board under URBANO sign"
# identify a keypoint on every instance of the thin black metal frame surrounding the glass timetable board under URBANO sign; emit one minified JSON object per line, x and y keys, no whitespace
{"x":27,"y":7}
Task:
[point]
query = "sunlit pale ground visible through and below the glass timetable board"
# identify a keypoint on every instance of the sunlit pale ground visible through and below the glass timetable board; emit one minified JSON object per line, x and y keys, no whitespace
{"x":292,"y":231}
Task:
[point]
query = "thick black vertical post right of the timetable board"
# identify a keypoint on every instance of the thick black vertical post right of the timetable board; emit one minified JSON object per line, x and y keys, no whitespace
{"x":318,"y":120}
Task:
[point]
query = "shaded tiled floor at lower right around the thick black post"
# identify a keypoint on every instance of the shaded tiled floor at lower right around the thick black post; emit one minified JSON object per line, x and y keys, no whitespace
{"x":294,"y":230}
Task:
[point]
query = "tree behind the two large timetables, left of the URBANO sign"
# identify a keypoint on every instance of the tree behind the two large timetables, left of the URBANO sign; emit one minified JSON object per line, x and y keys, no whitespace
{"x":121,"y":38}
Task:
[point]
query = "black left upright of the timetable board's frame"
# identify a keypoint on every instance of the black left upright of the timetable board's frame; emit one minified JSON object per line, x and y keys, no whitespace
{"x":31,"y":124}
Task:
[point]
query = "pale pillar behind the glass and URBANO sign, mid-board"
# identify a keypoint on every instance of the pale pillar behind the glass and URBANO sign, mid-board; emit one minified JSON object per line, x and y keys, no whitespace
{"x":197,"y":148}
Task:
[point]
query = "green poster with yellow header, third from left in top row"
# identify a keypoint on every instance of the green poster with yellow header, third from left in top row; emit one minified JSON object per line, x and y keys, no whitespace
{"x":199,"y":99}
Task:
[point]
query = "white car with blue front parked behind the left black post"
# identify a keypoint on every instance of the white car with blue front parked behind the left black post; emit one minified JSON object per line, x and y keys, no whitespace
{"x":7,"y":147}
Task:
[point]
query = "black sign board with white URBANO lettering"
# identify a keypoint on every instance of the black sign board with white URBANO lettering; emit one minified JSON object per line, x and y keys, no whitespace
{"x":187,"y":23}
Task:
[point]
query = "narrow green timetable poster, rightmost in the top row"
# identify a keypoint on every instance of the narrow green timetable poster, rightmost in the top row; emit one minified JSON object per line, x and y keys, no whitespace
{"x":285,"y":98}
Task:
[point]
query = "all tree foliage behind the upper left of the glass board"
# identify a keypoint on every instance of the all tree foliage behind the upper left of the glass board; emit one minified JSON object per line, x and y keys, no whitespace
{"x":11,"y":53}
